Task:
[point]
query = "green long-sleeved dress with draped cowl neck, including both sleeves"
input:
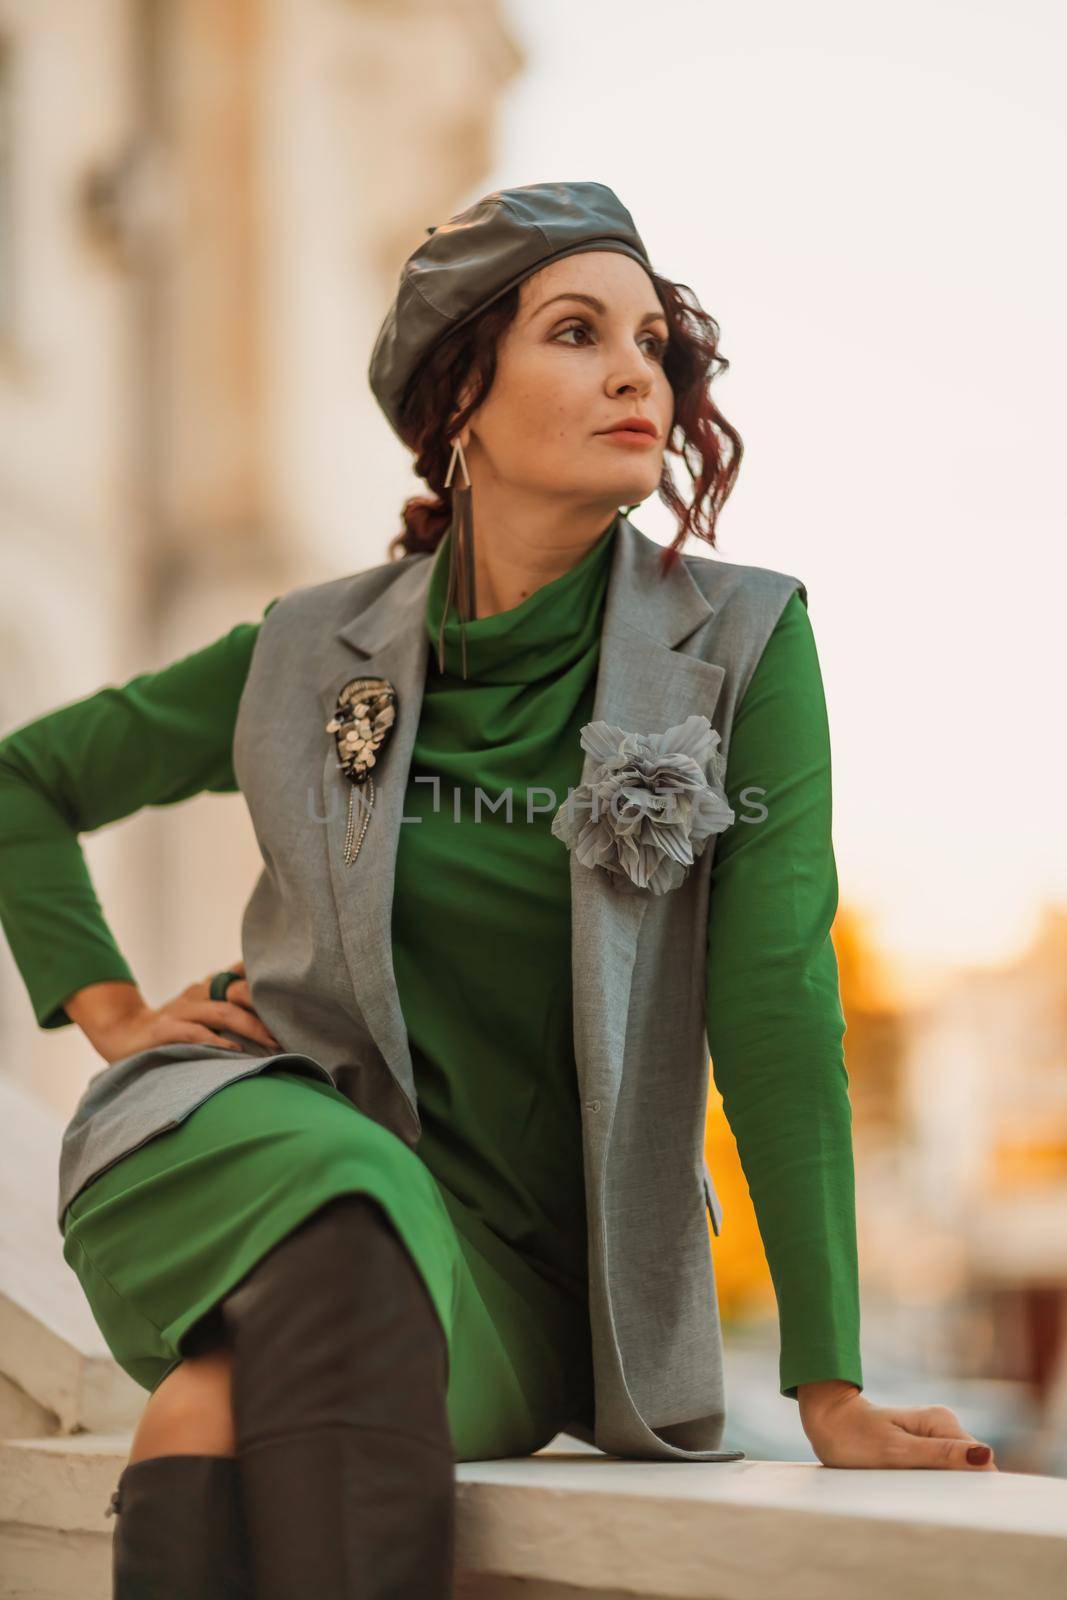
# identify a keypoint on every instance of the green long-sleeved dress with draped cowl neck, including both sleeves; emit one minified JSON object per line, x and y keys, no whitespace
{"x":492,"y":1206}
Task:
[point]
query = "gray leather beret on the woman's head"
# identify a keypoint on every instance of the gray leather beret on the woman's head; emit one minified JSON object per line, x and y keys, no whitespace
{"x":481,"y":254}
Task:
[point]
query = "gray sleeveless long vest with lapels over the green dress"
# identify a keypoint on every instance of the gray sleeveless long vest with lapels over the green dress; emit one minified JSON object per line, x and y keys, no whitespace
{"x":318,"y":953}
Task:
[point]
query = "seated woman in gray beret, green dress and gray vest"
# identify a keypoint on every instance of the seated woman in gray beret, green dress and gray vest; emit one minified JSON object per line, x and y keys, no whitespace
{"x":455,"y":1201}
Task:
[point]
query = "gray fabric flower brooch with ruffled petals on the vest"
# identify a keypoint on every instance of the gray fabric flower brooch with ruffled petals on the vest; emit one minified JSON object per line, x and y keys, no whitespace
{"x":650,"y":809}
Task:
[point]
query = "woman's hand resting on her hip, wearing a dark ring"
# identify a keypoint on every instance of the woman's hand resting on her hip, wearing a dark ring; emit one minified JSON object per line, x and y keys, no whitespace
{"x":118,"y":1020}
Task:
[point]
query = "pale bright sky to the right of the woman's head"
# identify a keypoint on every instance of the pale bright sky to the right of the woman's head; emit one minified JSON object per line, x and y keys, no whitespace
{"x":869,"y":201}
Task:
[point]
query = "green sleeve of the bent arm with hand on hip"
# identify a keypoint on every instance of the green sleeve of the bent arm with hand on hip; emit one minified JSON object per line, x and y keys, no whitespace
{"x":156,"y":740}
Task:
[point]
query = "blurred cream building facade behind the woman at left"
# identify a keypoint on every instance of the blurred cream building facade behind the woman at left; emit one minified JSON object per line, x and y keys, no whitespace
{"x":202,"y":215}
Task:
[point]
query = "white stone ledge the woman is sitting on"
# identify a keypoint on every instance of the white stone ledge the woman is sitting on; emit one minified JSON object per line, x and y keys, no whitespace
{"x":570,"y":1524}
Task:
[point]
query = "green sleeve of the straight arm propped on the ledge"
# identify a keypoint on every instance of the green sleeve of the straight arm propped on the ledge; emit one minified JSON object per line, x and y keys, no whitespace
{"x":775,"y":1022}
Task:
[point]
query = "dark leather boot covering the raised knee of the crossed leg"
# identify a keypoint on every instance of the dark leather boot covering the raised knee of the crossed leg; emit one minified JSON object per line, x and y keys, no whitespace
{"x":342,"y":1423}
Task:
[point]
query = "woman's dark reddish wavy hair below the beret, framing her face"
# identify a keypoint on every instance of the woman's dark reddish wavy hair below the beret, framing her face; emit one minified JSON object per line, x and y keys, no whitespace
{"x":708,"y":444}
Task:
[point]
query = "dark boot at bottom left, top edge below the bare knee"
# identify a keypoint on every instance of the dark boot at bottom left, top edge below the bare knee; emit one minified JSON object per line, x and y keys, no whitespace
{"x":180,"y":1532}
